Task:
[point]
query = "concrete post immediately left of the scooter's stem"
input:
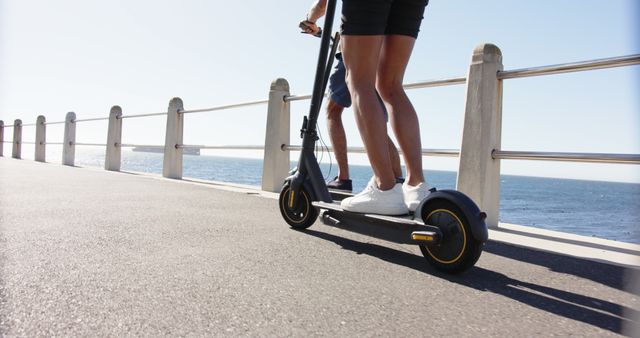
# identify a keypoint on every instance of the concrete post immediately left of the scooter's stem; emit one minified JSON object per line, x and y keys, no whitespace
{"x":276,"y":162}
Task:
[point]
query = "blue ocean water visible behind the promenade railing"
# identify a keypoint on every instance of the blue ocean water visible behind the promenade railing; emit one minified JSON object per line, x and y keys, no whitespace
{"x":606,"y":210}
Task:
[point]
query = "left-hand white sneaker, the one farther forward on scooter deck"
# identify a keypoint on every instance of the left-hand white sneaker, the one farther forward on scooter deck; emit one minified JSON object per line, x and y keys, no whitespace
{"x":372,"y":200}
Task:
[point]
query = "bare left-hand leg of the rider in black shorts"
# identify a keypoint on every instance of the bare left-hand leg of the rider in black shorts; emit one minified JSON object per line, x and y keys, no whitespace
{"x":360,"y":55}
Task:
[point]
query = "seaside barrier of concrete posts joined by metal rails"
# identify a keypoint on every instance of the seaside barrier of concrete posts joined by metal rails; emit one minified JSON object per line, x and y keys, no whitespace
{"x":479,"y":155}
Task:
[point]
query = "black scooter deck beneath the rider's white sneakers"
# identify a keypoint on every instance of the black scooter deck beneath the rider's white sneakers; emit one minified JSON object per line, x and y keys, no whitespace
{"x":398,"y":229}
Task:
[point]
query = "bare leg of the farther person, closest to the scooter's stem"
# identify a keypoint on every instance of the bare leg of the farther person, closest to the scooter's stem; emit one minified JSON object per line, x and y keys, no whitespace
{"x":338,"y":138}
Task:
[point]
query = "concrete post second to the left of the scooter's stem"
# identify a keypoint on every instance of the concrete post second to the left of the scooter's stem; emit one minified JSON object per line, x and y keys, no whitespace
{"x":172,"y":164}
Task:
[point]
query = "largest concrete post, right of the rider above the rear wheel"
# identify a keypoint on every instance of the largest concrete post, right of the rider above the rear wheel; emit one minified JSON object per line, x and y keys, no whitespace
{"x":479,"y":173}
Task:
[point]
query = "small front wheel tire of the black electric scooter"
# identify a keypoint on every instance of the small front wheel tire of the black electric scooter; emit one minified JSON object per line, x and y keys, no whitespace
{"x":304,"y":215}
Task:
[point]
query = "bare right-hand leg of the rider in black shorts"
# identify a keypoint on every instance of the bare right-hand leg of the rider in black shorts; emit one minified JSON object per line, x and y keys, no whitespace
{"x":394,"y":56}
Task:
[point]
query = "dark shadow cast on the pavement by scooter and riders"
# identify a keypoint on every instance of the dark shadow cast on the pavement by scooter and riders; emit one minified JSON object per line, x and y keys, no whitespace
{"x":597,"y":312}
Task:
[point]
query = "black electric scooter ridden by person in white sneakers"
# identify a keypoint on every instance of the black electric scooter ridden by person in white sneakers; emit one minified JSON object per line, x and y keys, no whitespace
{"x":447,"y":225}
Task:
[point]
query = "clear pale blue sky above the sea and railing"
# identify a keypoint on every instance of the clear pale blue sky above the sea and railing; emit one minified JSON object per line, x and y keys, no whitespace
{"x":86,"y":56}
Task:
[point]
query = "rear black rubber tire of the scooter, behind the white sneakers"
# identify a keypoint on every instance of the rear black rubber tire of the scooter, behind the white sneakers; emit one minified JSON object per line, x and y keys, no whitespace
{"x":459,"y":250}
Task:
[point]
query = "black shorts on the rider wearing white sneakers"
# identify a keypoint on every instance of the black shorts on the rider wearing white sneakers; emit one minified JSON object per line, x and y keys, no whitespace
{"x":382,"y":17}
